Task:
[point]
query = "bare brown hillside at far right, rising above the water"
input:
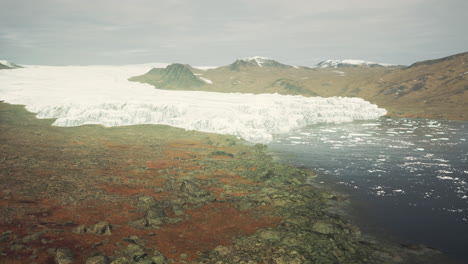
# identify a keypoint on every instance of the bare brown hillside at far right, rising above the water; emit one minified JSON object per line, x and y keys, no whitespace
{"x":432,"y":88}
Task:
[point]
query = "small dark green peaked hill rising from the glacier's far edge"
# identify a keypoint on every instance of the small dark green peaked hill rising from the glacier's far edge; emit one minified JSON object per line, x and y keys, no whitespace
{"x":174,"y":77}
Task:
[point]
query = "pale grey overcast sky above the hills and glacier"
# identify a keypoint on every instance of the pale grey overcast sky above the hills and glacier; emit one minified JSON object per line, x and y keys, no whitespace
{"x":216,"y":32}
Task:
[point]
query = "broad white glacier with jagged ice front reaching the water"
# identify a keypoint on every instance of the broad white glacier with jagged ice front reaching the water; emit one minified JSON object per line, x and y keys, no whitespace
{"x":78,"y":95}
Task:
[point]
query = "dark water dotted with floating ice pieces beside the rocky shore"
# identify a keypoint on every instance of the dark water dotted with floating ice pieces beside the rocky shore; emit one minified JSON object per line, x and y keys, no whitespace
{"x":407,"y":178}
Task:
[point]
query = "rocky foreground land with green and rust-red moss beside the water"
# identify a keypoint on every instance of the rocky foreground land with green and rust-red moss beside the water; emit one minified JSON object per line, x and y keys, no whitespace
{"x":165,"y":195}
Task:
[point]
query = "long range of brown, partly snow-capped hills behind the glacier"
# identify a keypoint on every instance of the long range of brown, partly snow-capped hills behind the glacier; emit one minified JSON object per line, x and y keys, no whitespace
{"x":435,"y":88}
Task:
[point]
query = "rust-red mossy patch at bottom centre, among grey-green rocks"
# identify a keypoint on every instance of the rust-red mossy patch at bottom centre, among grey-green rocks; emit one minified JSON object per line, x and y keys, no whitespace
{"x":212,"y":225}
